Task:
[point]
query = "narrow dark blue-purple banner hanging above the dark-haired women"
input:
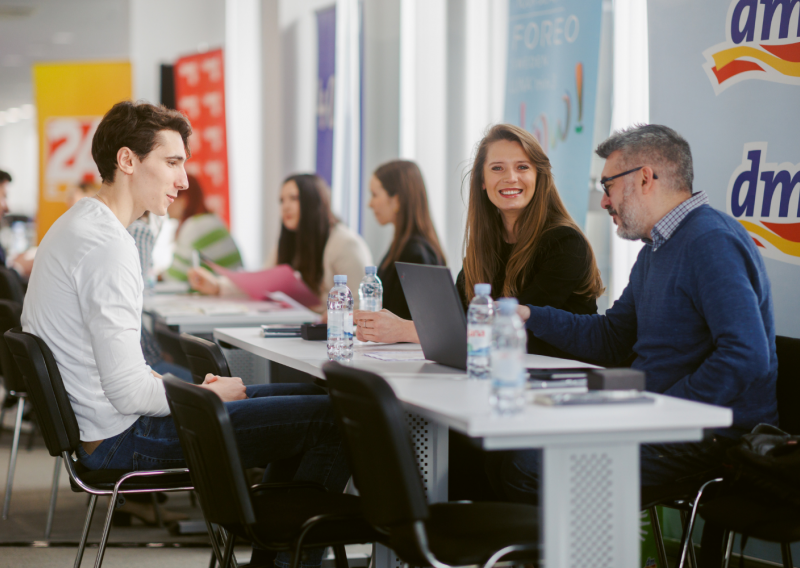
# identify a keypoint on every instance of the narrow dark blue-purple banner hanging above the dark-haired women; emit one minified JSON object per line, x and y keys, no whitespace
{"x":326,"y":33}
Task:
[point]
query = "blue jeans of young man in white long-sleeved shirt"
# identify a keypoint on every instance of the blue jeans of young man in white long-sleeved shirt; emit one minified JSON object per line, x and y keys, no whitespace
{"x":289,"y":424}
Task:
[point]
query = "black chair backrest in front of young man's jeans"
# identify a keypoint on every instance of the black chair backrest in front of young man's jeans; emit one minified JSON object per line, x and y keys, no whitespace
{"x":210,"y":450}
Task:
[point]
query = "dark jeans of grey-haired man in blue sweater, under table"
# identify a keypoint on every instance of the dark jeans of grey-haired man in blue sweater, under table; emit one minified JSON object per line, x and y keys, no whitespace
{"x":515,"y":475}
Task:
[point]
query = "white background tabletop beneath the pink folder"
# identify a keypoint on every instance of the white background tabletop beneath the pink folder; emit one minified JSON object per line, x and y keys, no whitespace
{"x":201,"y":314}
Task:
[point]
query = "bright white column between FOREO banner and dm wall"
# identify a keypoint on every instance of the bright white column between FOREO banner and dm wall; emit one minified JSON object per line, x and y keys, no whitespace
{"x":631,"y":106}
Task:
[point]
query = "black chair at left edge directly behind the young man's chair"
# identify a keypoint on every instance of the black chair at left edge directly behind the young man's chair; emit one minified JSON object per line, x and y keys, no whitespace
{"x":15,"y":386}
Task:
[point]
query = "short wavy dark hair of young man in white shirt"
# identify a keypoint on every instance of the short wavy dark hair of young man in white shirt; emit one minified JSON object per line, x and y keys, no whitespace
{"x":135,"y":126}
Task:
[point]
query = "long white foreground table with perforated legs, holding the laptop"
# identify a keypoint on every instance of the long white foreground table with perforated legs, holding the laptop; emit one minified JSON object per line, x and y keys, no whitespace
{"x":590,"y":478}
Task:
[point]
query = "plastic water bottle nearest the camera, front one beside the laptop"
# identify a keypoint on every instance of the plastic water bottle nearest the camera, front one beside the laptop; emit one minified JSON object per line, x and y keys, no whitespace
{"x":508,"y":350}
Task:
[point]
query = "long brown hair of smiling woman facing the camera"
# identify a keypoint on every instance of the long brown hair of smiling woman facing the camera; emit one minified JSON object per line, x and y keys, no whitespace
{"x":546,"y":211}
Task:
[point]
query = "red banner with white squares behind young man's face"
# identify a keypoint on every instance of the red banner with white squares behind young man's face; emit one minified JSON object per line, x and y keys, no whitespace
{"x":200,"y":95}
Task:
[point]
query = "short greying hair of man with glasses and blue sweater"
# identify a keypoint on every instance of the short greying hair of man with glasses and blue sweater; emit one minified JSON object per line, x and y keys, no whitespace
{"x":653,"y":145}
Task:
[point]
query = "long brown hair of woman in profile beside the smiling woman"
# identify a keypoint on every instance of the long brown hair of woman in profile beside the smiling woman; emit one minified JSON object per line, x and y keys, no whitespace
{"x":403,"y":179}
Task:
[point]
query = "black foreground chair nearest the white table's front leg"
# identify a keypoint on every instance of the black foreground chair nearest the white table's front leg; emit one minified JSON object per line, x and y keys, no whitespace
{"x":387,"y":476}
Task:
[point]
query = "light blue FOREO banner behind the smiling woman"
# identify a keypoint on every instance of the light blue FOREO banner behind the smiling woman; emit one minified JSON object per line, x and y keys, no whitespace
{"x":551,"y":86}
